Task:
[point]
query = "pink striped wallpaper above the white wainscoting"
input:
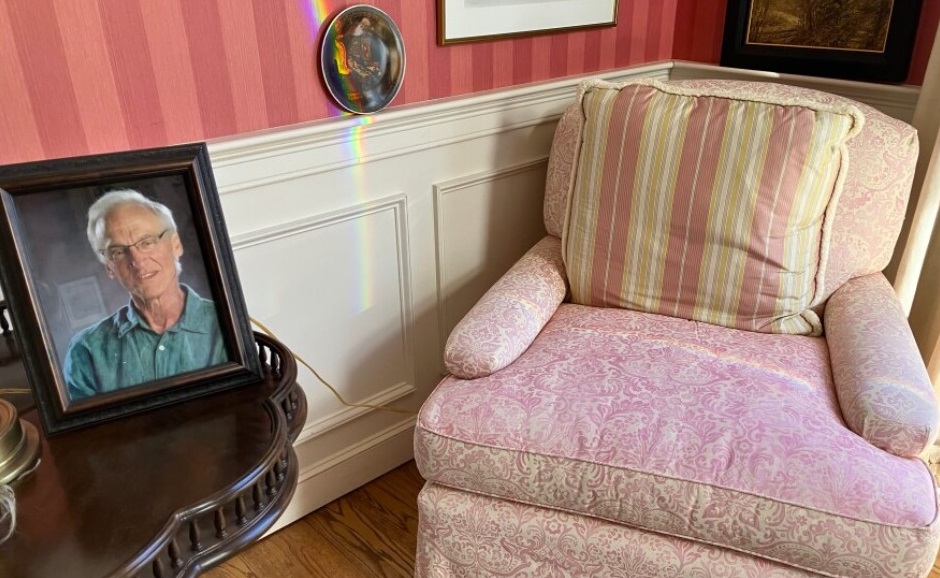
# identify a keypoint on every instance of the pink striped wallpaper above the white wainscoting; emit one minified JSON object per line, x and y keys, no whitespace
{"x":88,"y":76}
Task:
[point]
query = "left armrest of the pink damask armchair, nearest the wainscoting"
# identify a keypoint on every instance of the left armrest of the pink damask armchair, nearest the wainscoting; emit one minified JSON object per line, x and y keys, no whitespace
{"x":506,"y":320}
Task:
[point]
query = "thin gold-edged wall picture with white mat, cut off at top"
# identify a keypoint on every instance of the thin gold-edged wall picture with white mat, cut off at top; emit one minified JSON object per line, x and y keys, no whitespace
{"x":473,"y":20}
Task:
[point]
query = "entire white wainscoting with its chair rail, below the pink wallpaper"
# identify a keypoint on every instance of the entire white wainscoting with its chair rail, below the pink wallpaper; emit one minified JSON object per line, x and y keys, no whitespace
{"x":362,"y":239}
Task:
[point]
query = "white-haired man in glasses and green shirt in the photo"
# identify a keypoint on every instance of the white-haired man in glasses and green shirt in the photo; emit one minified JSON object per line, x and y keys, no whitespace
{"x":166,"y":328}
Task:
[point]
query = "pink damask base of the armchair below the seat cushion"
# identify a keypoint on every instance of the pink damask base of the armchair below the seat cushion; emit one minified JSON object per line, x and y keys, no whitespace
{"x":464,"y":535}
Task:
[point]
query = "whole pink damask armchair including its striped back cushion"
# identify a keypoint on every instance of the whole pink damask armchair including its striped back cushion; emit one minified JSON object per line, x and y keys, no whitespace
{"x":700,"y":371}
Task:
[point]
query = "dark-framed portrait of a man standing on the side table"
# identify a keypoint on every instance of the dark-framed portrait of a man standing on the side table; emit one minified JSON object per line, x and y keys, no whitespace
{"x":121,"y":283}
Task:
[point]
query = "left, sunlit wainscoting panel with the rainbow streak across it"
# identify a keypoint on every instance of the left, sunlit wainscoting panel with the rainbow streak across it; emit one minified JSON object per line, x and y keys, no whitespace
{"x":348,"y":271}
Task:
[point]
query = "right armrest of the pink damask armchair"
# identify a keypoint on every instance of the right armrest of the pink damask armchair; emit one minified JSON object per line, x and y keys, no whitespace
{"x":882,"y":385}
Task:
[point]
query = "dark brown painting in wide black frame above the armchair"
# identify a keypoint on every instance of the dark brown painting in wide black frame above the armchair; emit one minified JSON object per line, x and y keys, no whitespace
{"x":867,"y":40}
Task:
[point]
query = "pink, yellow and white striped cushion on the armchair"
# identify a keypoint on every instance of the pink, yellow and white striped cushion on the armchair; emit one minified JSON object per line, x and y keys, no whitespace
{"x":704,"y":204}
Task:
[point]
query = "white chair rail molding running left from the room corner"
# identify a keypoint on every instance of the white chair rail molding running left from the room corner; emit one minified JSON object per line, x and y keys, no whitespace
{"x":271,"y":156}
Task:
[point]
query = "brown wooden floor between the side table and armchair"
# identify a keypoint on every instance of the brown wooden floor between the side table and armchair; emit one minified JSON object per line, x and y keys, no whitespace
{"x":369,"y":532}
